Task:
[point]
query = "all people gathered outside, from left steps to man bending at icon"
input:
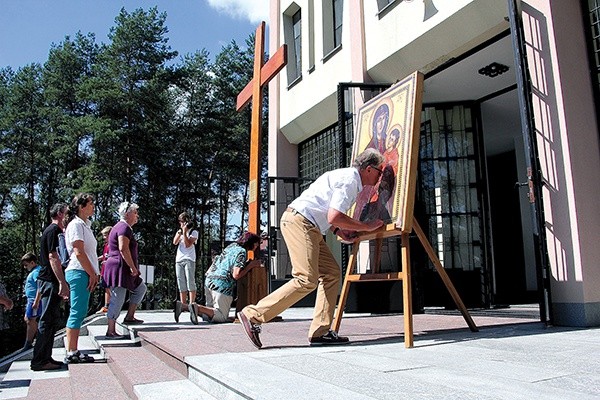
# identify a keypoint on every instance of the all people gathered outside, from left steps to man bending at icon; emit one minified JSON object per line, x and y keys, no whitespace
{"x":320,"y":208}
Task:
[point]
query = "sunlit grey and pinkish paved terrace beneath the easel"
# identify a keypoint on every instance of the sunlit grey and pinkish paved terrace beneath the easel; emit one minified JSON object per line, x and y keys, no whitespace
{"x":513,"y":356}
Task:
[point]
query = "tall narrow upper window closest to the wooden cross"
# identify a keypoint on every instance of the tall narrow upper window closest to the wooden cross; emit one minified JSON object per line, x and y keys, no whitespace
{"x":292,"y":19}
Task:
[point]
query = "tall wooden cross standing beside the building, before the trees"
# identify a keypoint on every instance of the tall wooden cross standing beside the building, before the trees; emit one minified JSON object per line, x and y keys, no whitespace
{"x":248,"y":291}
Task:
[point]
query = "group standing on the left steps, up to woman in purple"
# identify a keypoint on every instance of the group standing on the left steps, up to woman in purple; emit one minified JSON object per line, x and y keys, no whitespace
{"x":69,"y":236}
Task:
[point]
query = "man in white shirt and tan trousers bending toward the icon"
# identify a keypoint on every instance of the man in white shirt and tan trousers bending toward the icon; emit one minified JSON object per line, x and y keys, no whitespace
{"x":319,"y":208}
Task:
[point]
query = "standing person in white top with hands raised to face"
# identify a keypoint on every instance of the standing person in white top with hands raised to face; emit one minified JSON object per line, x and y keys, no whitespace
{"x":185,"y":263}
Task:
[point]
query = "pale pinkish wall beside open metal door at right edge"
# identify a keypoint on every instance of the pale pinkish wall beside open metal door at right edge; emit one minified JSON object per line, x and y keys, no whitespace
{"x":567,"y":139}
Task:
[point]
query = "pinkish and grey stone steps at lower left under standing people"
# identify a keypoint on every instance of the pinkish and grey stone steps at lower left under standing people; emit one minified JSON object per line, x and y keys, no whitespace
{"x":123,"y":370}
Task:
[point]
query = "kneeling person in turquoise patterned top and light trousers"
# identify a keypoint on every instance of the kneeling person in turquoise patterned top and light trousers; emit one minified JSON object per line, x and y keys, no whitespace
{"x":221,"y":279}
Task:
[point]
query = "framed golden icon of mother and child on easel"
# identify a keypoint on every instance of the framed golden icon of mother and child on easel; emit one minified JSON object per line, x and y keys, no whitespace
{"x":390,"y":123}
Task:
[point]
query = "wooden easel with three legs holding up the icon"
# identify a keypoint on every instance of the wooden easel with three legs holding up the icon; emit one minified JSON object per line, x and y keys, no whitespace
{"x":404,"y":276}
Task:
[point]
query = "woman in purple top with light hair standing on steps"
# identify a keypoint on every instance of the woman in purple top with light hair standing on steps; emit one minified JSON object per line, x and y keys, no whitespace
{"x":121,"y":271}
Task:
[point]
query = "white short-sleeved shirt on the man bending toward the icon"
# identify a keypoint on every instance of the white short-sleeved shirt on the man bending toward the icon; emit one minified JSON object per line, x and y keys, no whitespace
{"x":335,"y":189}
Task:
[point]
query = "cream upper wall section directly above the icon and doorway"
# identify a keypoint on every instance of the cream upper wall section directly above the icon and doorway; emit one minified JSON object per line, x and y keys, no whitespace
{"x":407,"y":38}
